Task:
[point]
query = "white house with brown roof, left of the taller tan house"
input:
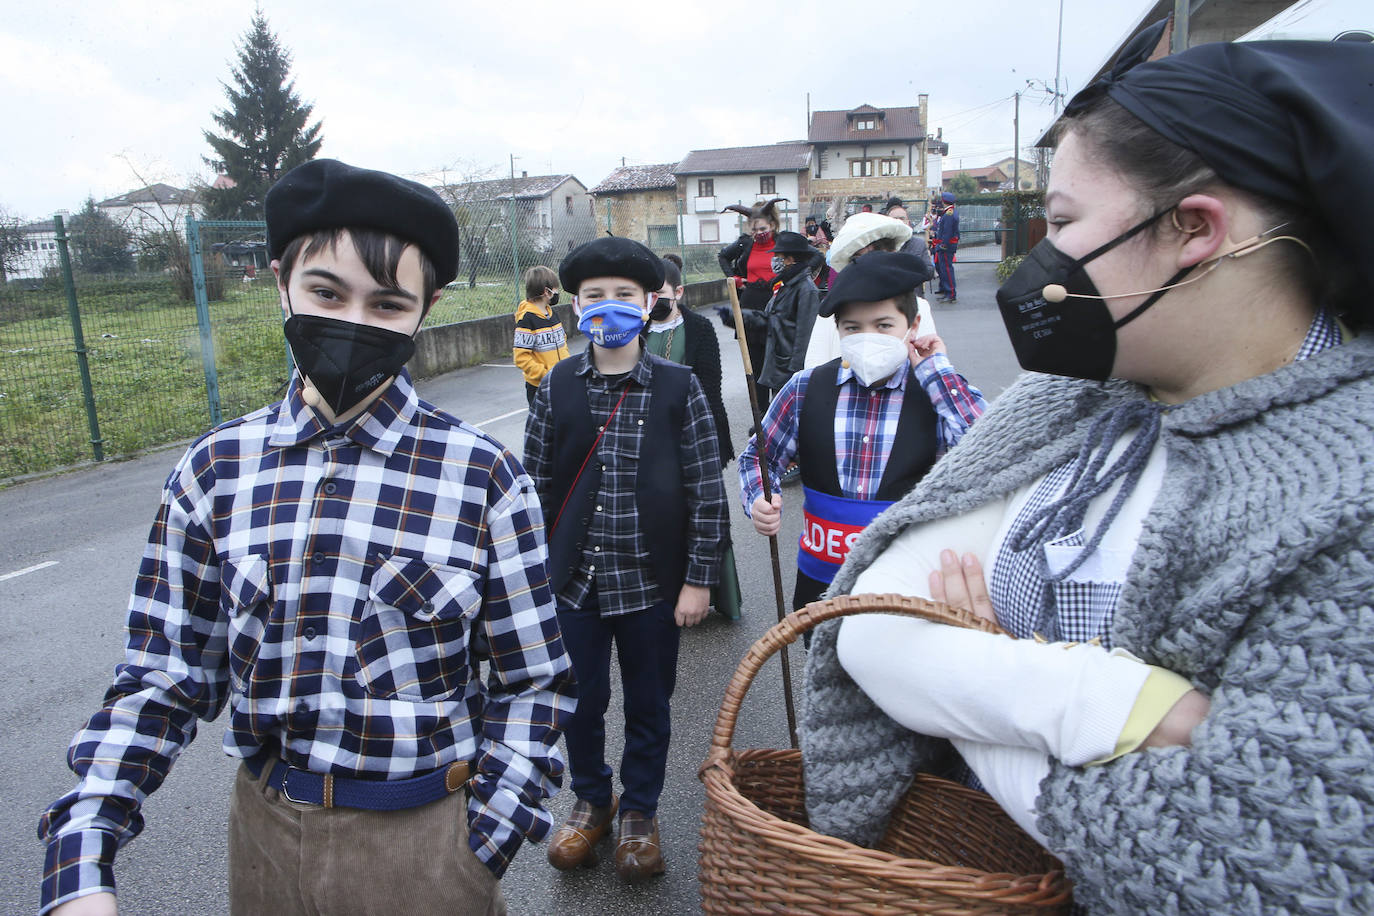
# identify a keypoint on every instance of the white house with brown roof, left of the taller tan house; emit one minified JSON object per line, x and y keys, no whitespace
{"x":711,"y":179}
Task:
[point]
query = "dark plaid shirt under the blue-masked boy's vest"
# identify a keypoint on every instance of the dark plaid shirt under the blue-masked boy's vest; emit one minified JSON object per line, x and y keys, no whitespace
{"x":616,"y":554}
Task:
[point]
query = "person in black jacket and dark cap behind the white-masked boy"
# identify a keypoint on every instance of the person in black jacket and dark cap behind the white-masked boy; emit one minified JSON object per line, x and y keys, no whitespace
{"x":792,"y":312}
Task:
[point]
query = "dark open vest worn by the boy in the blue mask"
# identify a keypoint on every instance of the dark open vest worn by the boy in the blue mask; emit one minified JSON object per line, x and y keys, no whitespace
{"x":659,"y":491}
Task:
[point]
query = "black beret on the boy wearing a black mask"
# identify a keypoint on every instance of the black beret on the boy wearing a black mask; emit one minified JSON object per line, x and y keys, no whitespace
{"x":328,"y":194}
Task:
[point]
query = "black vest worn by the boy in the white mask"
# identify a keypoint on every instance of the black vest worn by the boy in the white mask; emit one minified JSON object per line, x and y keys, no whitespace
{"x":913,"y":450}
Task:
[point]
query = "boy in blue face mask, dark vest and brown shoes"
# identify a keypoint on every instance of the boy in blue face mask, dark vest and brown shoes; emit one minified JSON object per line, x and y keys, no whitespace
{"x":615,"y":432}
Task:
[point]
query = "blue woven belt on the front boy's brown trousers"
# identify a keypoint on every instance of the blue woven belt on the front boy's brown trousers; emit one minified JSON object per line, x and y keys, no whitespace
{"x":329,"y":790}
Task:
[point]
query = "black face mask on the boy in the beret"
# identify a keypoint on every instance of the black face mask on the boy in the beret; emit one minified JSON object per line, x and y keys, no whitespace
{"x":346,"y":362}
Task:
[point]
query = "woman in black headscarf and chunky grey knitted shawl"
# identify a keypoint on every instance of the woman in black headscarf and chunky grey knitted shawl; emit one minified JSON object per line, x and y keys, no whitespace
{"x":1178,"y":502}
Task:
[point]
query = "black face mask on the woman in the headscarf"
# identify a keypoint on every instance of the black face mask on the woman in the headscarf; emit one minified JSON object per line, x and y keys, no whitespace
{"x":1075,"y":336}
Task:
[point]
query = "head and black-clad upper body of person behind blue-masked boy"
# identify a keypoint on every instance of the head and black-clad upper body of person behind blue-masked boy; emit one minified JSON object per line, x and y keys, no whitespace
{"x":685,"y":337}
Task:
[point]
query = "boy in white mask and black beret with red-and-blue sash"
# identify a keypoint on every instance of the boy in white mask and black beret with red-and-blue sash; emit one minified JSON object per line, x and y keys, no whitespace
{"x":858,"y":426}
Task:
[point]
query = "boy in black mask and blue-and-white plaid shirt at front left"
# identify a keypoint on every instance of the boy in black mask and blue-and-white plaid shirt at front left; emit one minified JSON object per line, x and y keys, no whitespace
{"x":333,"y":568}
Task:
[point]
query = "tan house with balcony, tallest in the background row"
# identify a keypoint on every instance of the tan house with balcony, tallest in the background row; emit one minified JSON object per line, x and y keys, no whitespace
{"x":868,"y":154}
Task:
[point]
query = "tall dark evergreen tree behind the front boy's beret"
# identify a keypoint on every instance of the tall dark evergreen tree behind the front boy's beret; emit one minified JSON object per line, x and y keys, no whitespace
{"x":264,"y":127}
